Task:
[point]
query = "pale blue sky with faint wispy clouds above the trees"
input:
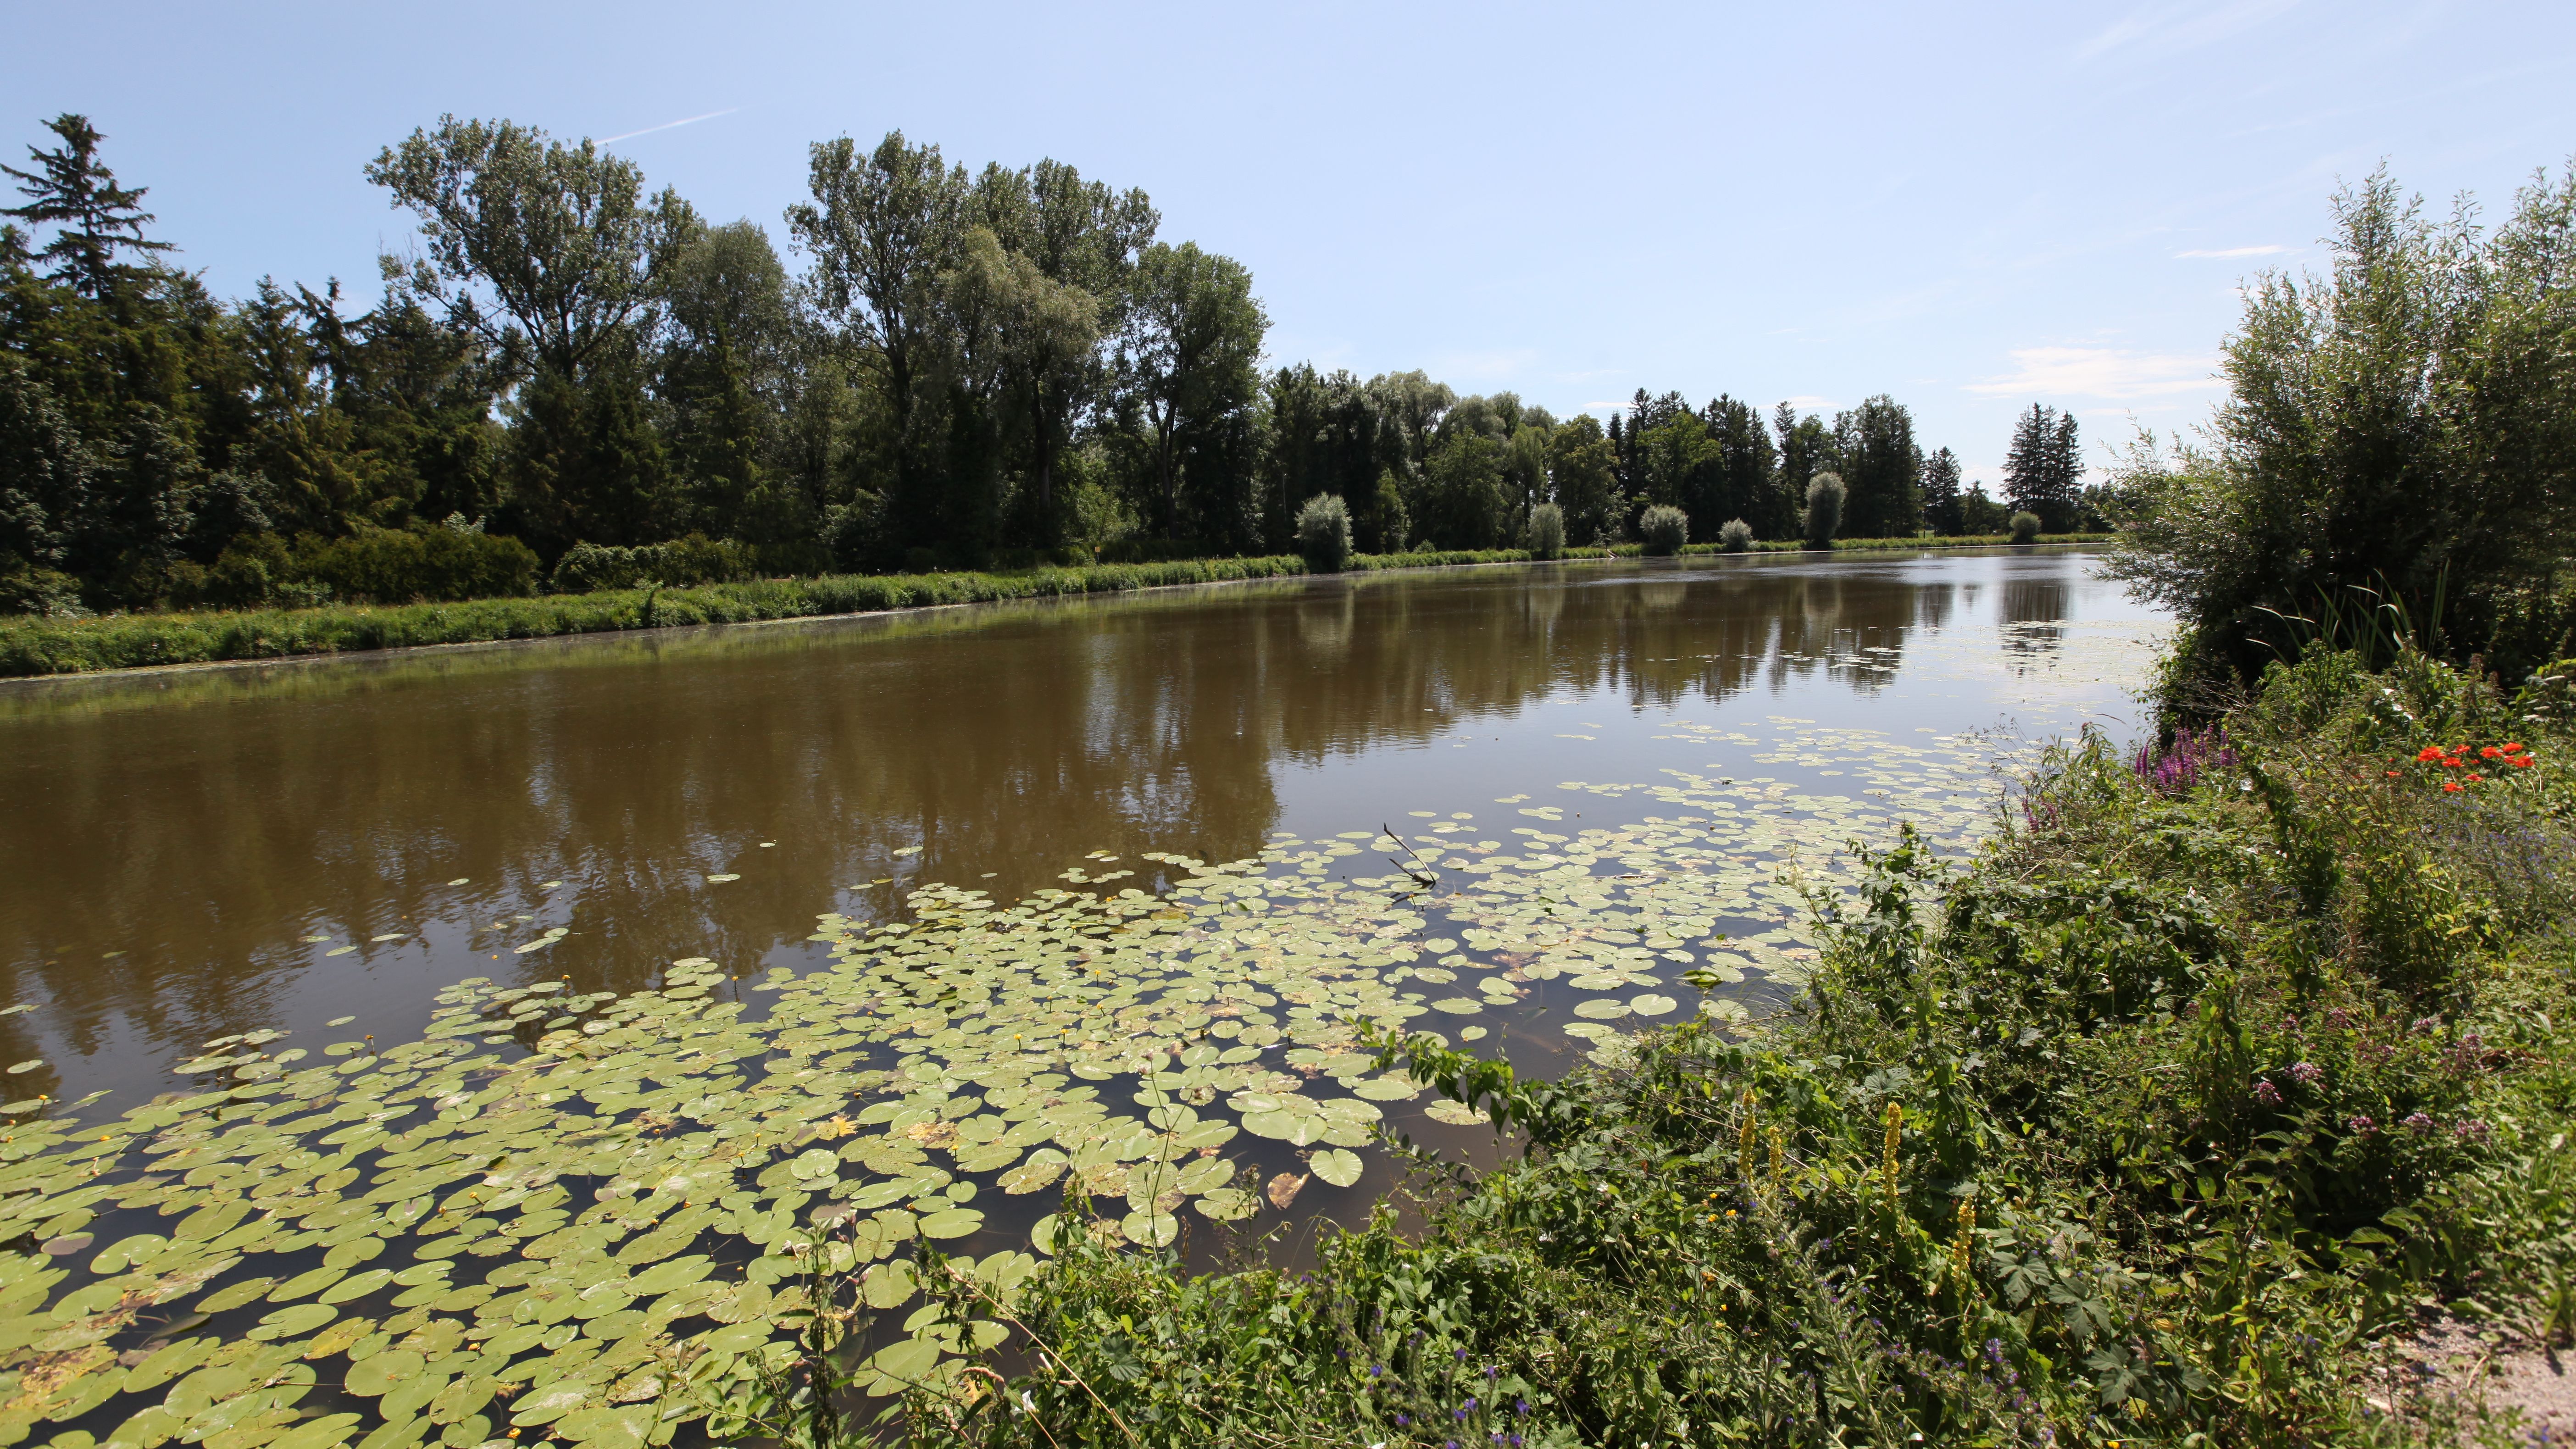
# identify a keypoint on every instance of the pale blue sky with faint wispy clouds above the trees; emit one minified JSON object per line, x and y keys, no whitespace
{"x":1964,"y":208}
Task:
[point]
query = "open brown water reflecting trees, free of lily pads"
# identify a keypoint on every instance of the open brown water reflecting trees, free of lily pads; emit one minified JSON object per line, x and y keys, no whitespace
{"x":207,"y":852}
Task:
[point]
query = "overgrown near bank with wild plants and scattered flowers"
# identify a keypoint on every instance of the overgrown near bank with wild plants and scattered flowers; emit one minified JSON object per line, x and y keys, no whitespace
{"x":2152,"y":1125}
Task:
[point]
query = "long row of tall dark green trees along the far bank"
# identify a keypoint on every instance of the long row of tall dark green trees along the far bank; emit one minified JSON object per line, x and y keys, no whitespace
{"x":967,"y":370}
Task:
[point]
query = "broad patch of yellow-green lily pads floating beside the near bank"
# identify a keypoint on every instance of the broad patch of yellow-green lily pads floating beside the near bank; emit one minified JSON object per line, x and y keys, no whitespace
{"x":553,"y":1208}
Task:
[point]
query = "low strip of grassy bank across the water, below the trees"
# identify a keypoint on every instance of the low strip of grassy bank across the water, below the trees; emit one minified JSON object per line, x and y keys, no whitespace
{"x":32,"y":646}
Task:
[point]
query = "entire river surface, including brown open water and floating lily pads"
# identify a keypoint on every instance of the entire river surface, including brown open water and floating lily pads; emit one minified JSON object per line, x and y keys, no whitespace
{"x":480,"y":1027}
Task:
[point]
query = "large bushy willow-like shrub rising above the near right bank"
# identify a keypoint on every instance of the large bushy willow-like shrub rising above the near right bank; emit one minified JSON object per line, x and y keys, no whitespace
{"x":2394,"y":424}
